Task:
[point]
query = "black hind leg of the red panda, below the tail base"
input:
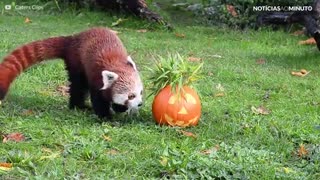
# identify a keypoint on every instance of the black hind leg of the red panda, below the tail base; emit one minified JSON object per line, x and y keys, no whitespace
{"x":78,"y":90}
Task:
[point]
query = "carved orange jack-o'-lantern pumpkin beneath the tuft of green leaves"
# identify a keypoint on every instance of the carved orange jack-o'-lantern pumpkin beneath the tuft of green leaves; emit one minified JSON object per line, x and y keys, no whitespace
{"x":169,"y":108}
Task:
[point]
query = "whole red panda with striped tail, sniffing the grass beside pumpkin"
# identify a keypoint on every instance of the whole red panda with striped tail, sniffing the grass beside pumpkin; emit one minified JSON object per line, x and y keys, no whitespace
{"x":97,"y":63}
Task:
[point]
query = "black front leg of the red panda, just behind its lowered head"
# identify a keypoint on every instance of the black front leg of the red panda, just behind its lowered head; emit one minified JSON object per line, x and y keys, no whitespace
{"x":100,"y":106}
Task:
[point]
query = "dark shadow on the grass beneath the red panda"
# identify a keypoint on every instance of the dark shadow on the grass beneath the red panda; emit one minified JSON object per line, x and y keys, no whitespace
{"x":57,"y":108}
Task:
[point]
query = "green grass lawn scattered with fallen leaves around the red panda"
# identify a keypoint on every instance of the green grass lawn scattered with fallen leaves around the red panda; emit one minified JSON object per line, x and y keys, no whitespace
{"x":233,"y":139}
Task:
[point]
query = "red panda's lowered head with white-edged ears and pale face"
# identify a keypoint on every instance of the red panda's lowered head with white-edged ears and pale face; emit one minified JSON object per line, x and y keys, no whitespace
{"x":125,"y":87}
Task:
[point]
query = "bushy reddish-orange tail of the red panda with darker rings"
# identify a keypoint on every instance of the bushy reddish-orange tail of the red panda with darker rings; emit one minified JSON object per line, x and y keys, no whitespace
{"x":27,"y":55}
